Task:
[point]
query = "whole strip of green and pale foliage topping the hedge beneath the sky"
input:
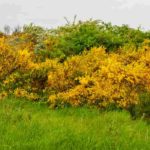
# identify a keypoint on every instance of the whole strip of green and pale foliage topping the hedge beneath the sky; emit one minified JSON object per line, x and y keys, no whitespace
{"x":72,"y":39}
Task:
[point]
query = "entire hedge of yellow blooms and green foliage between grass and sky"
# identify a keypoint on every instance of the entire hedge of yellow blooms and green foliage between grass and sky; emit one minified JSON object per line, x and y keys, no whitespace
{"x":89,"y":63}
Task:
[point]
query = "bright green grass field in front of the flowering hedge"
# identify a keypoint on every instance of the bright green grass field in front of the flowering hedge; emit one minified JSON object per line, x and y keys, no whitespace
{"x":26,"y":125}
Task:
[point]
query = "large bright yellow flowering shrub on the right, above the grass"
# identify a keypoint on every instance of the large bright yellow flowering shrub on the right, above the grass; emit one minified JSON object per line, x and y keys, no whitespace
{"x":104,"y":79}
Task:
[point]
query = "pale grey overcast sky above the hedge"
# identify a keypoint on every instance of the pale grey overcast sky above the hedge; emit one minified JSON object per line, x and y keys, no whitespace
{"x":51,"y":13}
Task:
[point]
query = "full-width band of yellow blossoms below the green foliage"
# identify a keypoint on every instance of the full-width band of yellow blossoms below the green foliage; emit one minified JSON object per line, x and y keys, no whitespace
{"x":93,"y":78}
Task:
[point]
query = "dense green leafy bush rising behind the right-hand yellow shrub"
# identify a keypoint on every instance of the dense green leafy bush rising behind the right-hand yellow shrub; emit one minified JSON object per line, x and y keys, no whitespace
{"x":74,"y":38}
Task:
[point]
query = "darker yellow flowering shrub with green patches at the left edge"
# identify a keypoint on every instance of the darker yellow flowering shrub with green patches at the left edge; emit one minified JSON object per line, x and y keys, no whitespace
{"x":19,"y":69}
